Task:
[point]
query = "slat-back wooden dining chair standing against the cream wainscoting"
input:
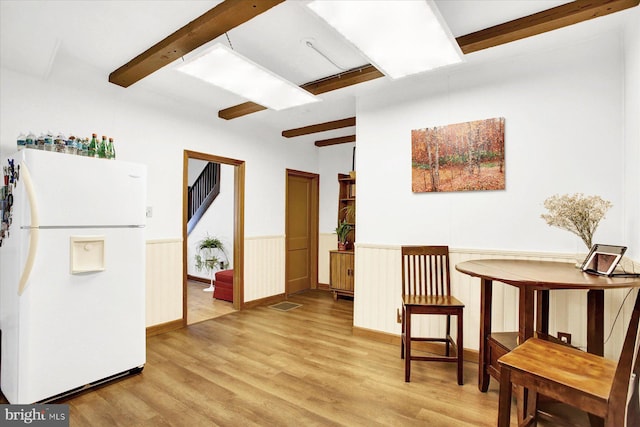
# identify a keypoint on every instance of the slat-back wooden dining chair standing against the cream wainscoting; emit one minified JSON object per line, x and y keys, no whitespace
{"x":426,"y":289}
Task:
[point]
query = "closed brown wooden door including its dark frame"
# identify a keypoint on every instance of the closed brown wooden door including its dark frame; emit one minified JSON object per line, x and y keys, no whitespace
{"x":301,"y":230}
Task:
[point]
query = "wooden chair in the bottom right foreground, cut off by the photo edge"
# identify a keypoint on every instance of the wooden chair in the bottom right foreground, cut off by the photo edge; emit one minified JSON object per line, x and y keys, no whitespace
{"x":585,"y":381}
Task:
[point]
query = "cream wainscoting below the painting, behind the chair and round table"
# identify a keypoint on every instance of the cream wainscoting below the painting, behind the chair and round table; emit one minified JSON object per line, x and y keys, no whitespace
{"x":377,"y":298}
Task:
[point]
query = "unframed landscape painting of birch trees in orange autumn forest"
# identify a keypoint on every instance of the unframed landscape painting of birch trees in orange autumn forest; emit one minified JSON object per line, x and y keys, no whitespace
{"x":460,"y":157}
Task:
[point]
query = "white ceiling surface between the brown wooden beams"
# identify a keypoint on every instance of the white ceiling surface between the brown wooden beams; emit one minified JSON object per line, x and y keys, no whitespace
{"x":107,"y":34}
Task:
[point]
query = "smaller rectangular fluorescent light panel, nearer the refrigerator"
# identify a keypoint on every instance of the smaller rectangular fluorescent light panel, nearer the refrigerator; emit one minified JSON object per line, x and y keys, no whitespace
{"x":225,"y":68}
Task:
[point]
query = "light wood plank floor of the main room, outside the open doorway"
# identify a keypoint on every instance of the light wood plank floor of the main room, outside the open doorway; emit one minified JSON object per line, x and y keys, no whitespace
{"x":298,"y":368}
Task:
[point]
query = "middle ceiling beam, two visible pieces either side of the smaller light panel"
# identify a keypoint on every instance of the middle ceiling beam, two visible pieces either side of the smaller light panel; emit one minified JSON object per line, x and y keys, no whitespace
{"x":316,"y":87}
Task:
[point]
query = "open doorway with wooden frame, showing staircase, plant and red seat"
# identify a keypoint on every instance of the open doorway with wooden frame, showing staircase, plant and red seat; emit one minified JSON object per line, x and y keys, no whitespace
{"x":213,"y":236}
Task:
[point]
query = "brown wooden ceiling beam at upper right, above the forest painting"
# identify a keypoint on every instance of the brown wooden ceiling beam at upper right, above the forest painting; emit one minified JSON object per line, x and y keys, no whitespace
{"x":541,"y":22}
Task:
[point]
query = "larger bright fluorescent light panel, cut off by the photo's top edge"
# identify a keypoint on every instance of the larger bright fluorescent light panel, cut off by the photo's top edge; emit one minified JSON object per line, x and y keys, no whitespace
{"x":399,"y":37}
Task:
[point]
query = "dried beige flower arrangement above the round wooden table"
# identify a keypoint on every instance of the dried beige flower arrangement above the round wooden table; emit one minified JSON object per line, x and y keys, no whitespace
{"x":576,"y":213}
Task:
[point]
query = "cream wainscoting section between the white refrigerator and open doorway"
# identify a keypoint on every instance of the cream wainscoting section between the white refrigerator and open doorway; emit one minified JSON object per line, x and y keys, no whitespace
{"x":164,"y":281}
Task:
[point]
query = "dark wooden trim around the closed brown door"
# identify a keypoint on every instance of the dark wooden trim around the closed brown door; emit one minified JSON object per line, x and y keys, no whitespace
{"x":314,"y":226}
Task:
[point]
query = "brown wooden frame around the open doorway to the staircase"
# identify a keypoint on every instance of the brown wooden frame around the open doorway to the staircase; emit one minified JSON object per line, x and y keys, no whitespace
{"x":238,"y":227}
